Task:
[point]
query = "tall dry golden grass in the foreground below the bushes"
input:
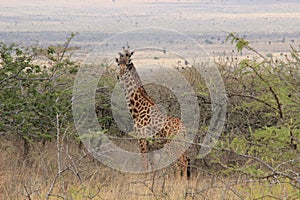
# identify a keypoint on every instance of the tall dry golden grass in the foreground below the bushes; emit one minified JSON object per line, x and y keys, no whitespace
{"x":83,"y":177}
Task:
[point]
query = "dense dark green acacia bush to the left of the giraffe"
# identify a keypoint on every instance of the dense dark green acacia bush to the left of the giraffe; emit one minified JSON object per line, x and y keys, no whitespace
{"x":32,"y":94}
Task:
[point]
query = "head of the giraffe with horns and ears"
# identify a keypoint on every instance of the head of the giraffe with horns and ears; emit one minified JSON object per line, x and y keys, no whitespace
{"x":124,"y":61}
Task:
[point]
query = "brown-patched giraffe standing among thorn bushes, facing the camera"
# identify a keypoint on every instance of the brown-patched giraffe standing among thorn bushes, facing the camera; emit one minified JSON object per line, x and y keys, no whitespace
{"x":147,"y":118}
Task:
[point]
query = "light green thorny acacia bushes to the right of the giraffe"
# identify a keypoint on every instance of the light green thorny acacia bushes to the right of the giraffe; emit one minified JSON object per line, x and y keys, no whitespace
{"x":262,"y":134}
